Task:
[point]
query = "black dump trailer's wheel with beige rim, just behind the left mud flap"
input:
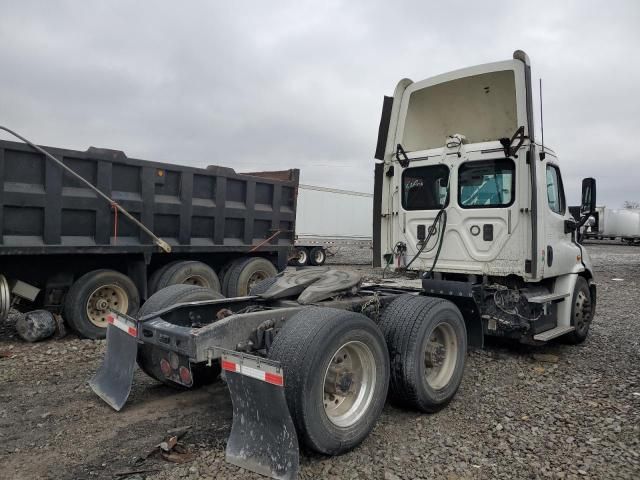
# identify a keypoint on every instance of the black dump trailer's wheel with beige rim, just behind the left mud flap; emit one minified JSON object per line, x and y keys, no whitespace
{"x":89,"y":299}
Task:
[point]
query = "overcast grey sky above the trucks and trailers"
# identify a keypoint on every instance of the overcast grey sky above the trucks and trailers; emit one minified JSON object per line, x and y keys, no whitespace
{"x":276,"y":85}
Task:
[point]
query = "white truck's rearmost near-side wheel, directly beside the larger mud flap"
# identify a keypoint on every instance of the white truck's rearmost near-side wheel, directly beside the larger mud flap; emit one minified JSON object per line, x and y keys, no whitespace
{"x":336,"y":376}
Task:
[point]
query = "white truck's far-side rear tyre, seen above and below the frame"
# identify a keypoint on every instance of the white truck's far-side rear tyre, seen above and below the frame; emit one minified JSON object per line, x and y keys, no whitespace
{"x":149,"y":355}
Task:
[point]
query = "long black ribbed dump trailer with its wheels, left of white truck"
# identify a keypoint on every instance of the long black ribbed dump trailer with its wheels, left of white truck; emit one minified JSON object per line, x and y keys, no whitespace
{"x":65,"y":249}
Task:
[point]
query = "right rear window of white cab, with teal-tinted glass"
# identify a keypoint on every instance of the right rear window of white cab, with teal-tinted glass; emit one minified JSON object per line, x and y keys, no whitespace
{"x":486,"y":184}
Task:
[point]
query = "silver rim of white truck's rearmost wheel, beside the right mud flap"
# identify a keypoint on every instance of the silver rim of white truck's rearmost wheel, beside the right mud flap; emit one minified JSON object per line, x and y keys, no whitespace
{"x":349,"y":383}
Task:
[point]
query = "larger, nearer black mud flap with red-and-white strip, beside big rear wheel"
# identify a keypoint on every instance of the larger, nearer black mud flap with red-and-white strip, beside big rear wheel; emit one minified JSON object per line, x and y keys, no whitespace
{"x":263,"y":438}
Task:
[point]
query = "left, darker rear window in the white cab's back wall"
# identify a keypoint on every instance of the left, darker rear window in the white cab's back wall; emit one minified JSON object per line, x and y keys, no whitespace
{"x":425,"y":188}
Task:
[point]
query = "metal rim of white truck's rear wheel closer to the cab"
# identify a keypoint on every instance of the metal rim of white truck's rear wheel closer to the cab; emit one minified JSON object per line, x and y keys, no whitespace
{"x":440,"y":356}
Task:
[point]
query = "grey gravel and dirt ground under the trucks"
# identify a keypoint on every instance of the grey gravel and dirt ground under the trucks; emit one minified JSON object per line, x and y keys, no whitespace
{"x":557,"y":411}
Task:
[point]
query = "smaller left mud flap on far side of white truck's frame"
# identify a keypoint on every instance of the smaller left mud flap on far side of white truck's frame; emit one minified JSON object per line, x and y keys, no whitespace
{"x":112,"y":381}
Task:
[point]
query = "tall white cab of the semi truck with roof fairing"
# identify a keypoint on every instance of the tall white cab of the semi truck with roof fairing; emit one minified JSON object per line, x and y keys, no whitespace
{"x":465,"y":194}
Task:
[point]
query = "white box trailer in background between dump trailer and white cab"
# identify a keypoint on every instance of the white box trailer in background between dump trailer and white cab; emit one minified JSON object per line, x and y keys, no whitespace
{"x":329,"y":218}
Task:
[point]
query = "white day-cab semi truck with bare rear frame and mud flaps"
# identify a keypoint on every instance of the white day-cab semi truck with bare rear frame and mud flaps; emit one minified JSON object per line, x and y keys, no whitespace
{"x":465,"y":195}
